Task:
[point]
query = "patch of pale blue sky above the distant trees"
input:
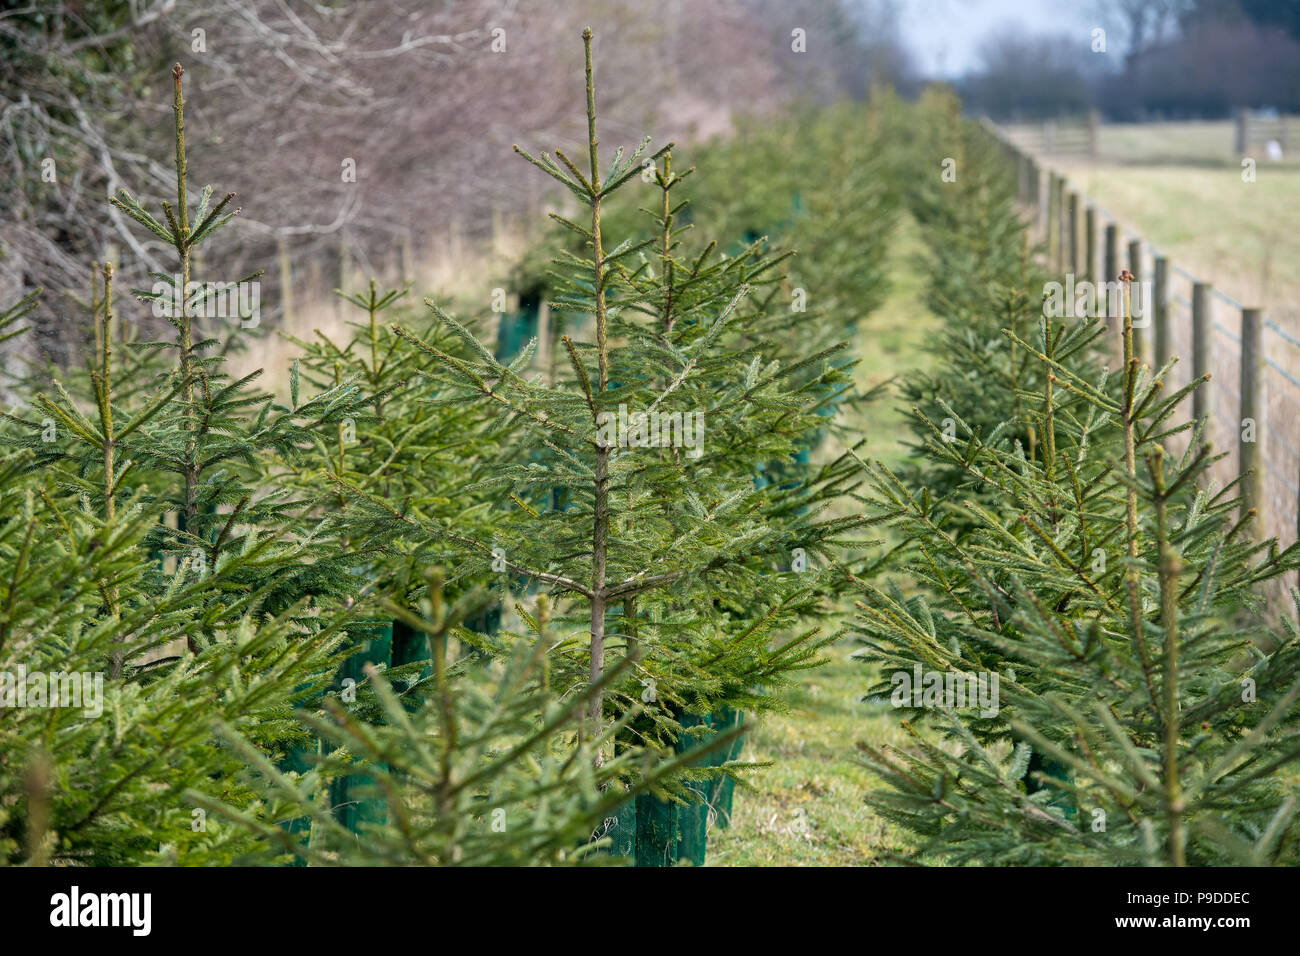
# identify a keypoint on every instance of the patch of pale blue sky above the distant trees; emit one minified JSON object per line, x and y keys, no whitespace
{"x":944,"y":36}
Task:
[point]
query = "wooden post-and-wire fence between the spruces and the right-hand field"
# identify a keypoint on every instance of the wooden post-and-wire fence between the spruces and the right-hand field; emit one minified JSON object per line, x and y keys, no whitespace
{"x":1251,"y":406}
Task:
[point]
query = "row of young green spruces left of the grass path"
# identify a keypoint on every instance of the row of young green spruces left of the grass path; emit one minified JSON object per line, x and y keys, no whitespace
{"x":272,"y":591}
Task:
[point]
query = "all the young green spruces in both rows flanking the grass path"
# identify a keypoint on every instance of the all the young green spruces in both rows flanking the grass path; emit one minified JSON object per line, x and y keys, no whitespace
{"x":280,"y":604}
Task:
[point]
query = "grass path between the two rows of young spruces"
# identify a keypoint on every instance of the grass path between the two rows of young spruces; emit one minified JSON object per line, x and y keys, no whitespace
{"x":808,"y":810}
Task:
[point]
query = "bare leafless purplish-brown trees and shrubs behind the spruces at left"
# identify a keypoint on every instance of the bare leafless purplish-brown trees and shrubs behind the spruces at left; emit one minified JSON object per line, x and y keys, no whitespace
{"x":287,"y":101}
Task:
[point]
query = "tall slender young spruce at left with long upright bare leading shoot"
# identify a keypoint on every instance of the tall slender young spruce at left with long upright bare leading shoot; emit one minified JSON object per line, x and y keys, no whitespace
{"x":210,"y":451}
